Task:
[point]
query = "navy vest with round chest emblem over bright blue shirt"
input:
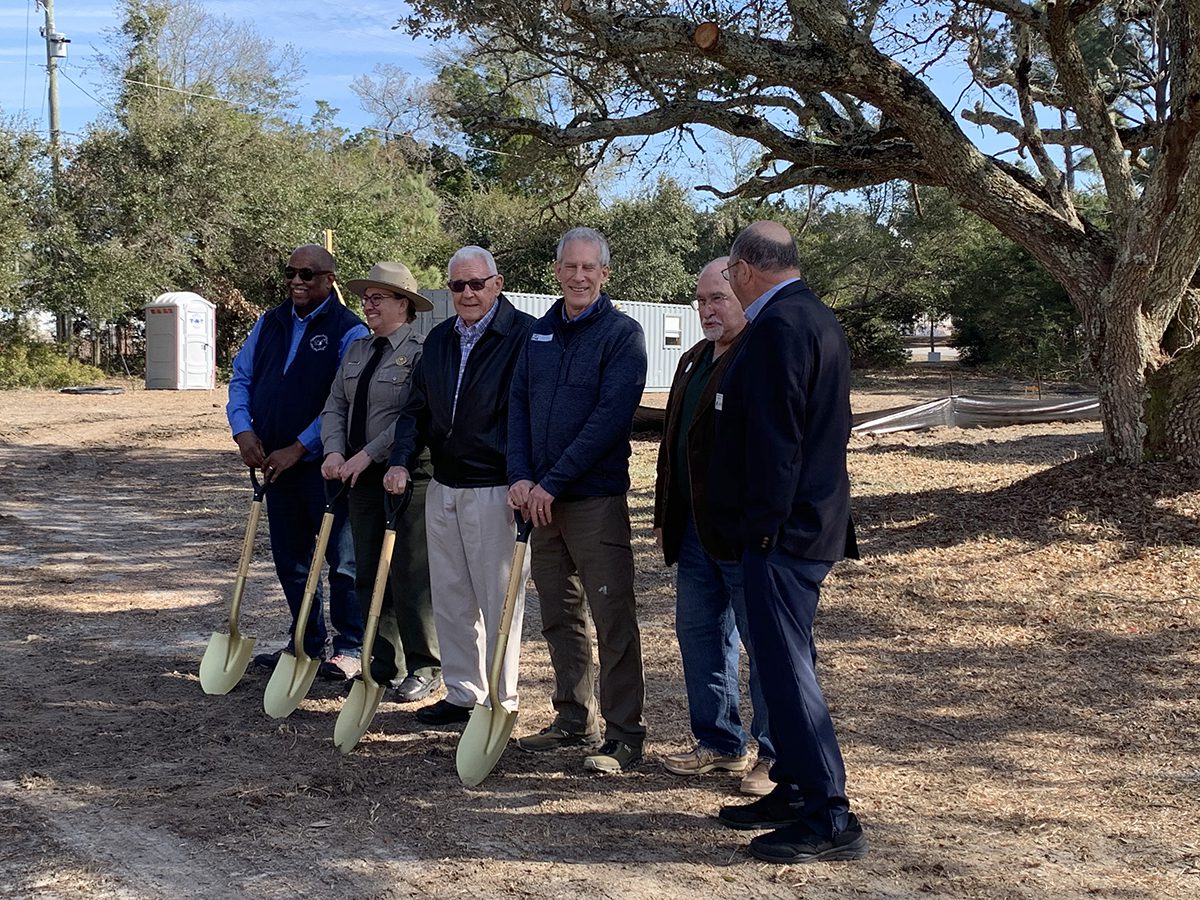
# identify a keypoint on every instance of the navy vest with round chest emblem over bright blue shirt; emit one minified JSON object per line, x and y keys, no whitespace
{"x":283,"y":405}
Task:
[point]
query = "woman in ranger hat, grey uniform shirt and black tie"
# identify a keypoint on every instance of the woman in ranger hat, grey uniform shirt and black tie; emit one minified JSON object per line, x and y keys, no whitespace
{"x":357,"y":429}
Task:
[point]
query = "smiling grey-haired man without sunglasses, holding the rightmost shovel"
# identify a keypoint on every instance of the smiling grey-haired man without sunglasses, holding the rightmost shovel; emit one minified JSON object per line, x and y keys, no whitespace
{"x":575,"y":391}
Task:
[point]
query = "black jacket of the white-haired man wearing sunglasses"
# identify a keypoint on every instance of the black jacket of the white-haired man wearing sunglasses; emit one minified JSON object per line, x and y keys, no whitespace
{"x":469,"y":445}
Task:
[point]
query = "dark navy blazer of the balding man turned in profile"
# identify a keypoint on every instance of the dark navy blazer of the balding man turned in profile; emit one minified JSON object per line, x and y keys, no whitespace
{"x":778,"y":470}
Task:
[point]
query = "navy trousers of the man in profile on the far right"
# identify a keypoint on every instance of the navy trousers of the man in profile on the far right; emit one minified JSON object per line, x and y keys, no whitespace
{"x":782,"y":595}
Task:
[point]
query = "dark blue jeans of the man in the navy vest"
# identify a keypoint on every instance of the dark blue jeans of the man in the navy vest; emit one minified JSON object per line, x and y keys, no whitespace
{"x":296,"y":503}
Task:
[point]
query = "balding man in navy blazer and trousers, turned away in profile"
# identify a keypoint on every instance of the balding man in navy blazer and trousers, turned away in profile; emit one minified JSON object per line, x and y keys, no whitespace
{"x":779,"y":493}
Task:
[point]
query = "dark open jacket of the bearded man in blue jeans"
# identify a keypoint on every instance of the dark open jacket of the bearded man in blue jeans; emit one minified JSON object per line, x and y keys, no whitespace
{"x":671,"y":507}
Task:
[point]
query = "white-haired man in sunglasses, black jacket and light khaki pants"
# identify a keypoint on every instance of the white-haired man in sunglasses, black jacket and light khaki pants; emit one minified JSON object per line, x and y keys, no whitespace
{"x":459,"y":407}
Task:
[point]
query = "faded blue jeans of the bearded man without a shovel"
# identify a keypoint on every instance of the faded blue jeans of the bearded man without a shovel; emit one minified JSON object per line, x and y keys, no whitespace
{"x":710,"y":617}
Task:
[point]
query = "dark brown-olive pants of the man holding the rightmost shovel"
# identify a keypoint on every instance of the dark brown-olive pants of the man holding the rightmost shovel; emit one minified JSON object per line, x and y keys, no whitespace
{"x":586,"y":555}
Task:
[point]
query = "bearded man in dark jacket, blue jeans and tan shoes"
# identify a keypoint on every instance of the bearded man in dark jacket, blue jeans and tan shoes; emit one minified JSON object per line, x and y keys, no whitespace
{"x":710,"y":607}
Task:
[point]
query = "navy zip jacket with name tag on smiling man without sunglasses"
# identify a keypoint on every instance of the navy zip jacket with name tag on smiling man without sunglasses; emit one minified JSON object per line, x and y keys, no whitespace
{"x":575,"y":391}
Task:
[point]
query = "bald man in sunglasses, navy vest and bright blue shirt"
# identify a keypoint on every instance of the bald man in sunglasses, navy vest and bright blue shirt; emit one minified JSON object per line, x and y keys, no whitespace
{"x":281,"y":379}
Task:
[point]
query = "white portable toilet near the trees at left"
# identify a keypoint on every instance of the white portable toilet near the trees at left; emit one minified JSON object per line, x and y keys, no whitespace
{"x":182,"y":343}
